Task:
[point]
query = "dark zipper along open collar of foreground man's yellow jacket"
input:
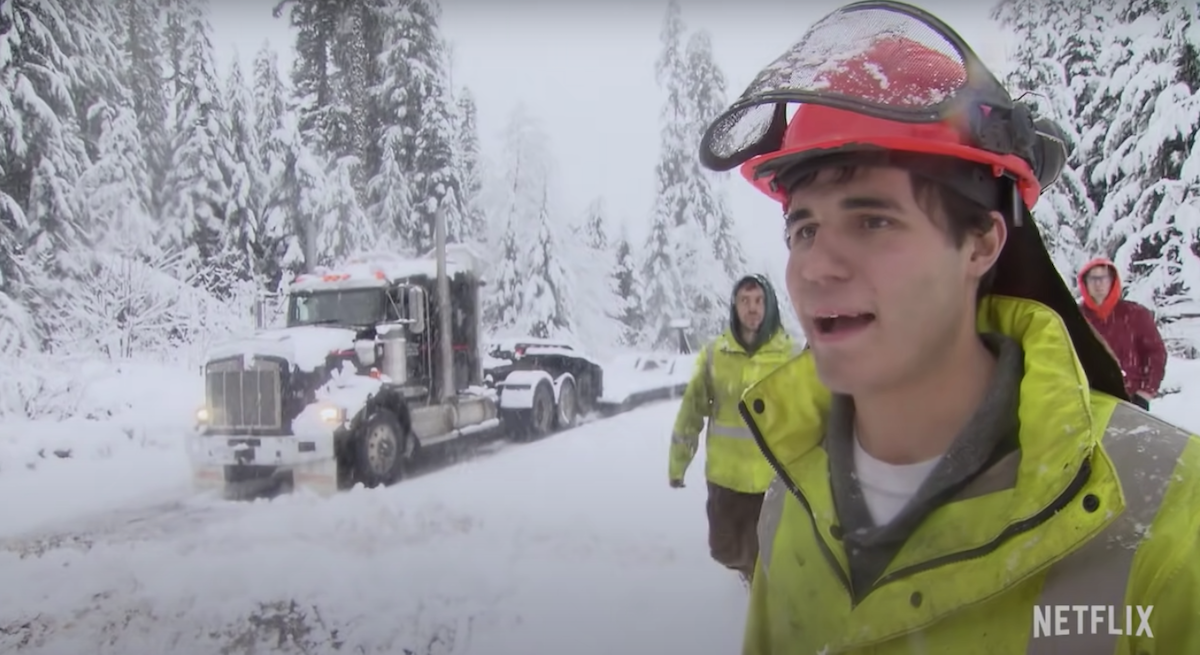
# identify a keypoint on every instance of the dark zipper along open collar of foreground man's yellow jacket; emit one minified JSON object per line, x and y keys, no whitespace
{"x":1009,"y":533}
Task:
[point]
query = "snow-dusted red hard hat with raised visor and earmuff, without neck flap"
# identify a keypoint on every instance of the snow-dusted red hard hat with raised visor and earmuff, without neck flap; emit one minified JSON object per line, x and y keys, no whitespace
{"x":880,"y":75}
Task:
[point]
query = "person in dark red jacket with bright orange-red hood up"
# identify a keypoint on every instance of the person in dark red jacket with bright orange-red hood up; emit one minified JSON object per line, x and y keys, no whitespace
{"x":1127,"y":327}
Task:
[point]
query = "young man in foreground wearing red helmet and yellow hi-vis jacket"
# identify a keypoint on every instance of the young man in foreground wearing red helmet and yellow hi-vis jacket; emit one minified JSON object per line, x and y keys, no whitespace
{"x":958,"y":471}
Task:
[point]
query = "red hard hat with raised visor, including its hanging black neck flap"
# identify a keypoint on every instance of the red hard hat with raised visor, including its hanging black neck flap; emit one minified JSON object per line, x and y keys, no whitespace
{"x":885,"y":77}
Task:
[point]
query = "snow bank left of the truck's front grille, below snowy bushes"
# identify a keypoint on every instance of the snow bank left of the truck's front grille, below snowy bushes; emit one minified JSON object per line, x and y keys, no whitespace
{"x":125,"y":444}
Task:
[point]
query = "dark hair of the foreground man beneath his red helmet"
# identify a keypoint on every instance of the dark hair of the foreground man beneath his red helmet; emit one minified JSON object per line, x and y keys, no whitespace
{"x":964,"y":215}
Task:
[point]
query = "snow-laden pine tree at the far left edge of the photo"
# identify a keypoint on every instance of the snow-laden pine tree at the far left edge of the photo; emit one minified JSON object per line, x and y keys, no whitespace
{"x":44,"y":158}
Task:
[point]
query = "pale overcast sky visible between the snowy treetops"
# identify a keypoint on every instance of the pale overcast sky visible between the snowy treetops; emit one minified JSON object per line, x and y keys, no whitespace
{"x":586,"y":69}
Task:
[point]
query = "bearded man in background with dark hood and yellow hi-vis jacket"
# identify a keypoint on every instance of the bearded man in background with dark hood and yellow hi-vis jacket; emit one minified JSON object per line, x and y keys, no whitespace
{"x":737,"y":473}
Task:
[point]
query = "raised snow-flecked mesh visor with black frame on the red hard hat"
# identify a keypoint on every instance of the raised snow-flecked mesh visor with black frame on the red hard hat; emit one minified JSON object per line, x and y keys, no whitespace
{"x":895,"y":63}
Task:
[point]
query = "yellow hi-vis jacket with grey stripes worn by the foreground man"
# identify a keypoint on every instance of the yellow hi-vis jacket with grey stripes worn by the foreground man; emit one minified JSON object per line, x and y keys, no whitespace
{"x":1099,"y":508}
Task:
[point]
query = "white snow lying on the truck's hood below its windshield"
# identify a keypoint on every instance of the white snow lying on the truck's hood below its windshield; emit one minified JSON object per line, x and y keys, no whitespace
{"x":304,"y":347}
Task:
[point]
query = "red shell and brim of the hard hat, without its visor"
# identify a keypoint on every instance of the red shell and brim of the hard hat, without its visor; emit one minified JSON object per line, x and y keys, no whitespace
{"x":893,"y":73}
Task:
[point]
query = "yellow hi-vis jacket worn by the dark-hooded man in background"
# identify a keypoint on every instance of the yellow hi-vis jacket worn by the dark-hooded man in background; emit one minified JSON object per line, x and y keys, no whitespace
{"x":723,"y":372}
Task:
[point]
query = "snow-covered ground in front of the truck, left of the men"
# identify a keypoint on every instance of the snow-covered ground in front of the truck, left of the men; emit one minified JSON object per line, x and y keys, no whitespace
{"x":574,"y":545}
